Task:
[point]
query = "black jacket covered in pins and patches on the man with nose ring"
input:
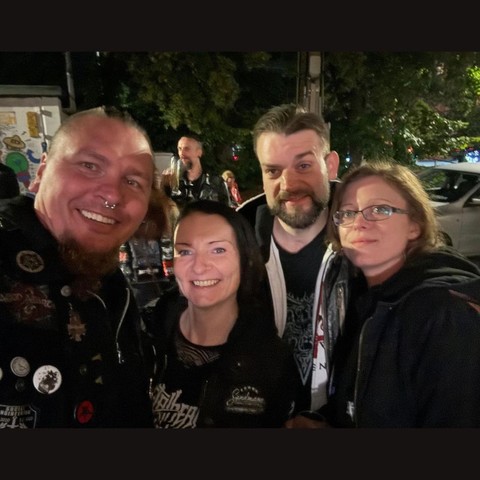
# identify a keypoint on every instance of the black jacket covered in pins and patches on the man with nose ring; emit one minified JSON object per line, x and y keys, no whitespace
{"x":91,"y":350}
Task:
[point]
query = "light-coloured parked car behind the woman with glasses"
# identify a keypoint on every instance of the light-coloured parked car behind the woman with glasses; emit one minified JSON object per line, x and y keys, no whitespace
{"x":455,"y":194}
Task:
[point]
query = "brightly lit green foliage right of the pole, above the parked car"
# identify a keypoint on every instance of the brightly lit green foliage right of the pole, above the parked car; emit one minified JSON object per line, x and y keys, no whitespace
{"x":384,"y":104}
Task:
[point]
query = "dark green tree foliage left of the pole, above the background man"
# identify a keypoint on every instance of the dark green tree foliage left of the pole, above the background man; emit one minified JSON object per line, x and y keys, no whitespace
{"x":217,"y":96}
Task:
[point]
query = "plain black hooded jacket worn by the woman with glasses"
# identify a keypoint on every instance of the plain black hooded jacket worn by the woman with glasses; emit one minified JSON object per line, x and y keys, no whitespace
{"x":410,"y":354}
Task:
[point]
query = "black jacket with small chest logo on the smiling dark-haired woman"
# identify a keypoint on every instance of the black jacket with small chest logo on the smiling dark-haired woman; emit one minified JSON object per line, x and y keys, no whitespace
{"x":253,"y":359}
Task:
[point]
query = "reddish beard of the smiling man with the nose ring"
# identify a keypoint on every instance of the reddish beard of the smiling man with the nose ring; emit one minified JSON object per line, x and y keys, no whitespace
{"x":87,"y":267}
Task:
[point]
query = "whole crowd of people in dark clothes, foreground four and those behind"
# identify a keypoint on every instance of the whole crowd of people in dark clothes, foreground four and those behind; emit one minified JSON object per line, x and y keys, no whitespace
{"x":323,"y":302}
